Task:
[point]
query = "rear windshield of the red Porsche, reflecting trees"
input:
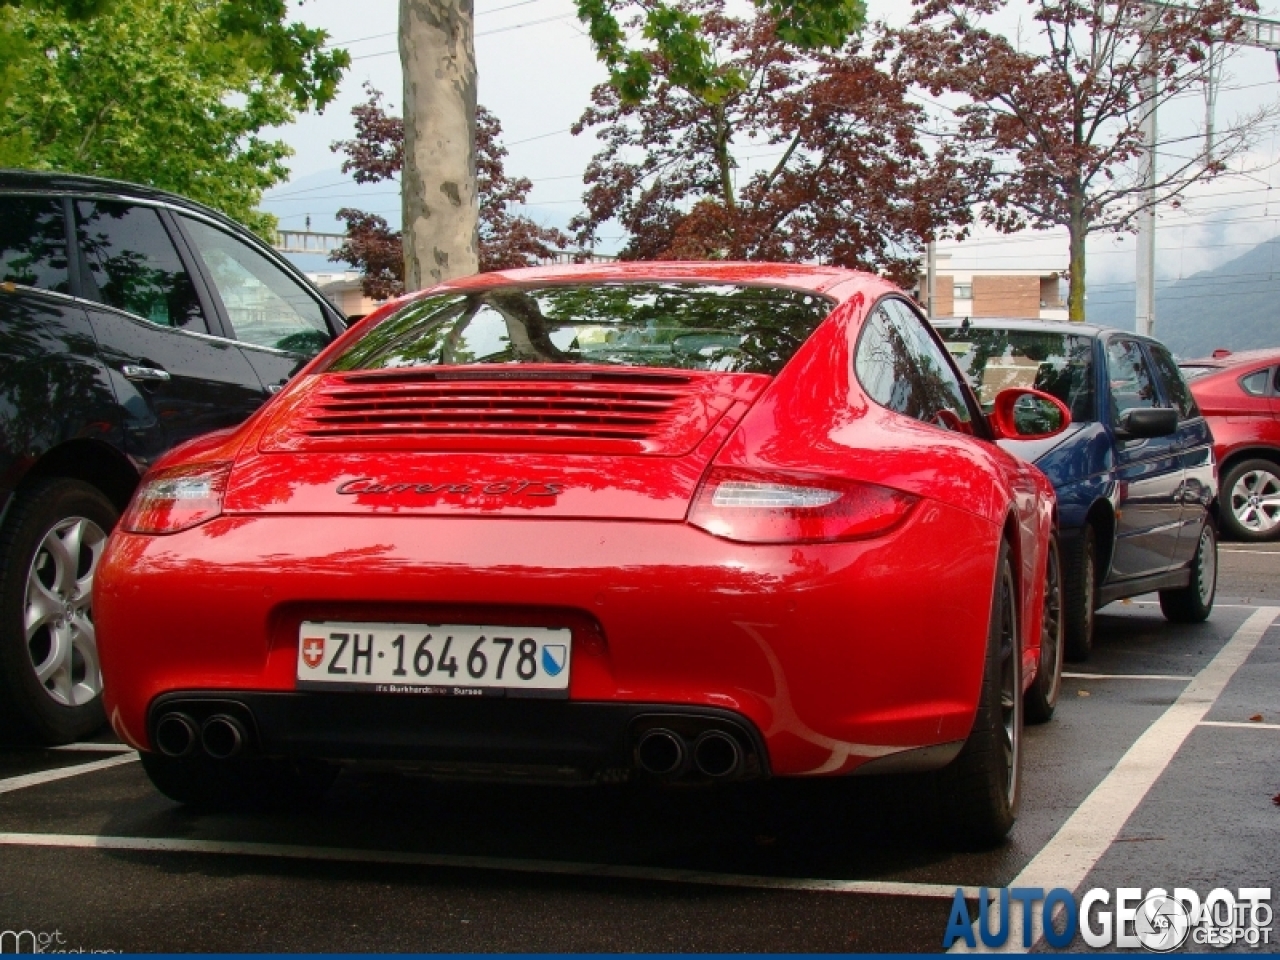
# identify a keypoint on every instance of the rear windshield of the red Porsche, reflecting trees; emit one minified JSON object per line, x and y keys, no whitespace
{"x":683,"y":326}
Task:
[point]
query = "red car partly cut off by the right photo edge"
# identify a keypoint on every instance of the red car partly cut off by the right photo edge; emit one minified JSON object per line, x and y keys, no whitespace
{"x":1240,"y":395}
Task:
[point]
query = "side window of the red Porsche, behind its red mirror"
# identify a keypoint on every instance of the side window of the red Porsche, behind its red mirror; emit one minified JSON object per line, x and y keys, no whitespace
{"x":902,"y":368}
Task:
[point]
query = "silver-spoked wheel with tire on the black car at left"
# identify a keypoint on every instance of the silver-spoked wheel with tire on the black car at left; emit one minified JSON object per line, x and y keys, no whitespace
{"x":51,"y":682}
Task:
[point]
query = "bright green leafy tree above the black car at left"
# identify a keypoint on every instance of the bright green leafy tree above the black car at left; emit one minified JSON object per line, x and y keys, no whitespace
{"x":173,"y":94}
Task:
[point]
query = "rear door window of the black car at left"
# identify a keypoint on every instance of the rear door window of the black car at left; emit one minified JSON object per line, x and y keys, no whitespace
{"x":134,"y":264}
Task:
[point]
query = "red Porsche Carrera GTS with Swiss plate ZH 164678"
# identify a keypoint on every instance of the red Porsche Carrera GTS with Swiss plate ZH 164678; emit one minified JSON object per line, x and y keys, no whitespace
{"x":675,"y":522}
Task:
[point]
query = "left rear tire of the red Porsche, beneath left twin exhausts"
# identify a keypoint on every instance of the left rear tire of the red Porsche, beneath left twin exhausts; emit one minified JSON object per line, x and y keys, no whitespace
{"x":203,"y":783}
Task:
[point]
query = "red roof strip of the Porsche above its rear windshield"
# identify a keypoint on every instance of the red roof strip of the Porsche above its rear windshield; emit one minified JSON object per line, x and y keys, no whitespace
{"x":819,"y":280}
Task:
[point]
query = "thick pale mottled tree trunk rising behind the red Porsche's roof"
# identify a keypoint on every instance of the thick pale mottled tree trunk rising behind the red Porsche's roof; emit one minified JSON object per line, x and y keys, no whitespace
{"x":441,"y":207}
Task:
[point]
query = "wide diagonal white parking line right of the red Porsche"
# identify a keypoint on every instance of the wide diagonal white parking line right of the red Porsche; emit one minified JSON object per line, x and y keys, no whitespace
{"x":1091,"y":831}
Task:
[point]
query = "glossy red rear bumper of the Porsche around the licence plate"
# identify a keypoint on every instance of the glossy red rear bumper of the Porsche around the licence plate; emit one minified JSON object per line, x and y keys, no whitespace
{"x":830,"y":656}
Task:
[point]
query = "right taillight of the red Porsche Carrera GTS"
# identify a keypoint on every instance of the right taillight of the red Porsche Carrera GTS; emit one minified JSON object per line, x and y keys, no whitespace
{"x":778,"y":508}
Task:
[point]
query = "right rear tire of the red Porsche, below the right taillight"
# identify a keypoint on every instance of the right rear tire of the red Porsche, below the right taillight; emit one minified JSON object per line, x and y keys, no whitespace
{"x":981,"y":788}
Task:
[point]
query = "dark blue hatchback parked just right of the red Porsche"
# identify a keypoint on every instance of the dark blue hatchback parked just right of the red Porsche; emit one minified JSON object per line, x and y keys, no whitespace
{"x":1135,"y":473}
